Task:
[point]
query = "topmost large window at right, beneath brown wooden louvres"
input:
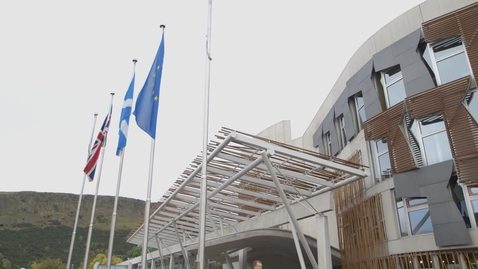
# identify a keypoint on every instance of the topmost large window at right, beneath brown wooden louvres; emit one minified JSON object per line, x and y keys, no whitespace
{"x":450,"y":61}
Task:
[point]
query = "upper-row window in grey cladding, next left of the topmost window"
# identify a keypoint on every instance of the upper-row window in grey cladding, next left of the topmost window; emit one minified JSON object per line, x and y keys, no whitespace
{"x":392,"y":81}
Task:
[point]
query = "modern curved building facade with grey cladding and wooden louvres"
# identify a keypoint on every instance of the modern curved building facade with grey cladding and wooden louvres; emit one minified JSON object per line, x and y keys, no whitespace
{"x":405,"y":109}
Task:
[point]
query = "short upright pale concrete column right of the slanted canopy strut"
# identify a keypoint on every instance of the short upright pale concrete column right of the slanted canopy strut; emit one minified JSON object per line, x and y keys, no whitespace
{"x":324,"y":258}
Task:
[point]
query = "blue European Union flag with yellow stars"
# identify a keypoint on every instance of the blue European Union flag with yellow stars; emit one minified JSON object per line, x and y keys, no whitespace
{"x":146,"y":108}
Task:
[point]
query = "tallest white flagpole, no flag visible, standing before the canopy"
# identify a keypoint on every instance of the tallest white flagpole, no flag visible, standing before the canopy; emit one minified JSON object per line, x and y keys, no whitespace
{"x":202,"y":209}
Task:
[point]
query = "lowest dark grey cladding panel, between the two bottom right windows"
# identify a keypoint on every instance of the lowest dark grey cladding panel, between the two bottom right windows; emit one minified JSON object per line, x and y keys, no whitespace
{"x":451,"y":234}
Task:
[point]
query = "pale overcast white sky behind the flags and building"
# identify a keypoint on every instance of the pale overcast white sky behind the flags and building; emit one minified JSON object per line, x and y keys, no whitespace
{"x":273,"y":60}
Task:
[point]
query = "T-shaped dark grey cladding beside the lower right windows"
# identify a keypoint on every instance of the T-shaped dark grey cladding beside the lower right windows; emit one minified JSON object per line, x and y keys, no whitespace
{"x":432,"y":182}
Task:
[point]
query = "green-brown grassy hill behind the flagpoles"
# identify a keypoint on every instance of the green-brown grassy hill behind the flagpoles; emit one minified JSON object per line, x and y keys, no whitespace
{"x":36,"y":226}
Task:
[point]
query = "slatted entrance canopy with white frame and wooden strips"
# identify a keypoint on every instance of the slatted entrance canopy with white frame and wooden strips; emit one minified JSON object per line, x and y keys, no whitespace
{"x":241,"y":186}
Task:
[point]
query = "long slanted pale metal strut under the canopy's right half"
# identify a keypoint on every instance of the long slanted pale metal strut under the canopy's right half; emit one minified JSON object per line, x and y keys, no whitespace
{"x":310,"y":255}
